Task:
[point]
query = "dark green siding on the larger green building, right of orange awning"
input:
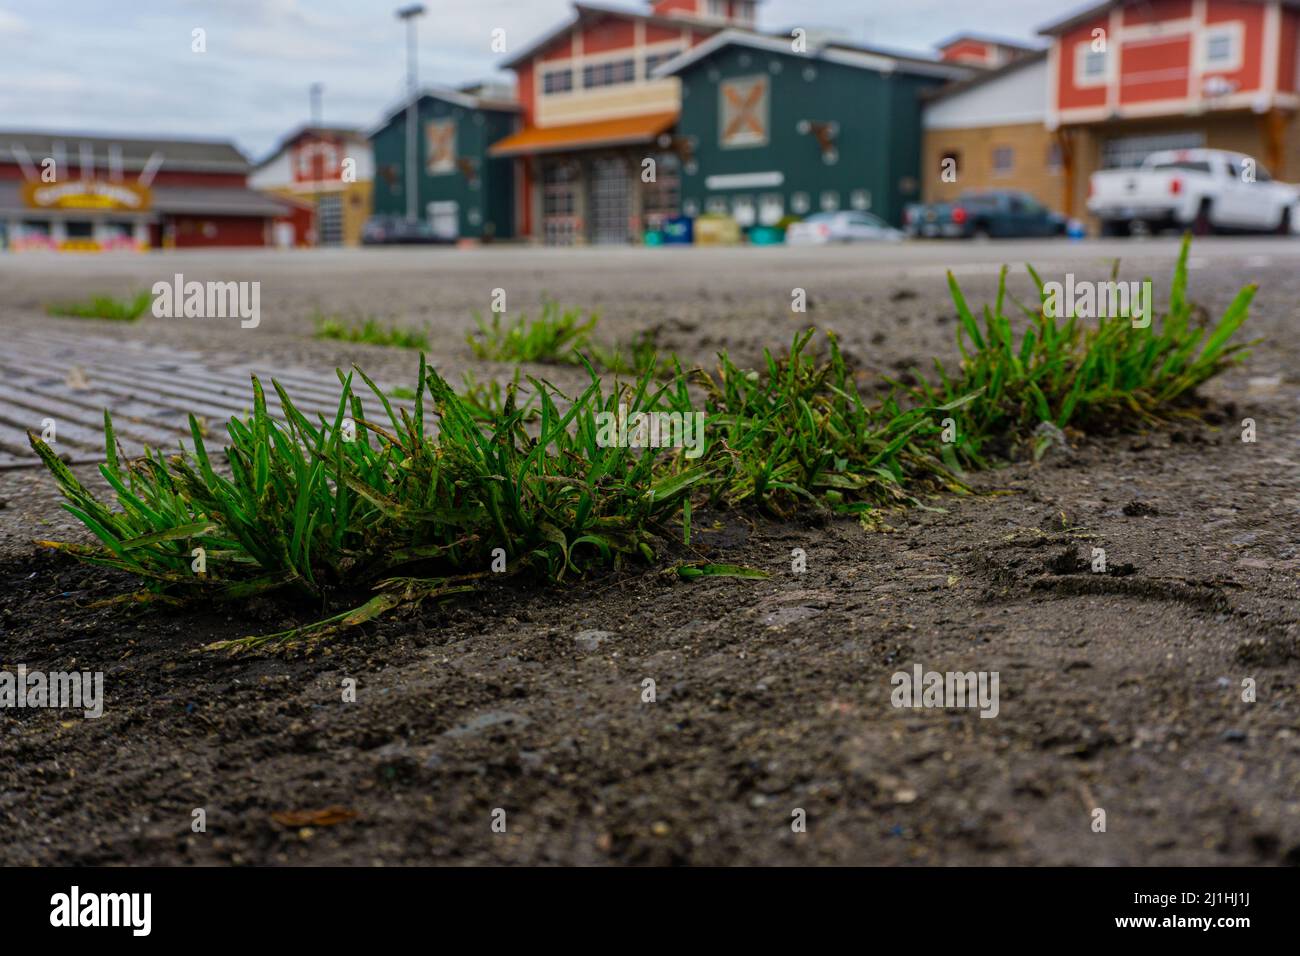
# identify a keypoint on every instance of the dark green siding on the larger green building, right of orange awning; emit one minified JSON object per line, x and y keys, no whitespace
{"x":878,"y":142}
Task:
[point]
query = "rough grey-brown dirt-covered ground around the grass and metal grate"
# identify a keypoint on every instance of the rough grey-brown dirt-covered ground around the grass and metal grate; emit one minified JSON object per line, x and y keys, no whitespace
{"x":1120,"y":693}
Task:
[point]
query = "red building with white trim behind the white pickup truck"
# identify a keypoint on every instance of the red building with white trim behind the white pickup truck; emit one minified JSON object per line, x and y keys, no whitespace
{"x":1129,"y":79}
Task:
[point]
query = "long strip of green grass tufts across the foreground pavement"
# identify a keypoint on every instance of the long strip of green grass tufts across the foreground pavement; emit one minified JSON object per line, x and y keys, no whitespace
{"x":421,"y":504}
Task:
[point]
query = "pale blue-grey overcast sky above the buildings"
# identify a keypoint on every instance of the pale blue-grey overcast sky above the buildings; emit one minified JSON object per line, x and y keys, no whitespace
{"x":127,"y":66}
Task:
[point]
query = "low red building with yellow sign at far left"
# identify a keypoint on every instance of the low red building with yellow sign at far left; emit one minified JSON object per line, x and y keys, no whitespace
{"x":80,"y":193}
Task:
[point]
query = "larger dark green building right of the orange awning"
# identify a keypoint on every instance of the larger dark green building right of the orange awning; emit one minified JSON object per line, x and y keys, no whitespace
{"x":769,"y":131}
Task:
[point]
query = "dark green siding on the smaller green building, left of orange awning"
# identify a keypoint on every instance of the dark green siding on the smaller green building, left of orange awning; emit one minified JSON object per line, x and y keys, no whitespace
{"x":493,"y":198}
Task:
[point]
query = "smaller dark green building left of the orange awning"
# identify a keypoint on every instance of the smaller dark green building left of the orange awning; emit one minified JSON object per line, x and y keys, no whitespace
{"x":462,"y":193}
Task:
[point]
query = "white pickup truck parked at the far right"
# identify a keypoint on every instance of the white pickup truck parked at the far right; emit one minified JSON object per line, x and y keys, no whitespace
{"x":1203,"y":191}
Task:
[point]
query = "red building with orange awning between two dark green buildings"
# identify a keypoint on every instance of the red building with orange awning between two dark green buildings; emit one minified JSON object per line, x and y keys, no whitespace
{"x":592,"y":115}
